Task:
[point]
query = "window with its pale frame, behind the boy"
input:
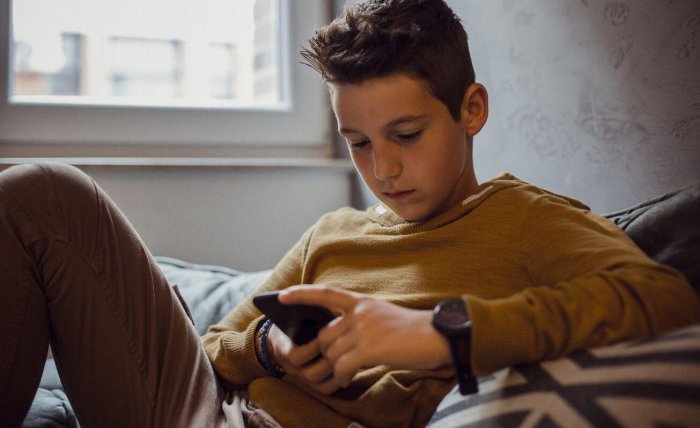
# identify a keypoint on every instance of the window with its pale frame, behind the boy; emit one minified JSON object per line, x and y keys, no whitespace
{"x":165,"y":73}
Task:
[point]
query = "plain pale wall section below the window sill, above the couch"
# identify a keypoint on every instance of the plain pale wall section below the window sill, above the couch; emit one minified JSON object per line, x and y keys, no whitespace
{"x":242,"y":218}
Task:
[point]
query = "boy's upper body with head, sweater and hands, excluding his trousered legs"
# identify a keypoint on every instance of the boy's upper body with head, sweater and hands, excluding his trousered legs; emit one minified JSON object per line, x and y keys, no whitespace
{"x":539,"y":274}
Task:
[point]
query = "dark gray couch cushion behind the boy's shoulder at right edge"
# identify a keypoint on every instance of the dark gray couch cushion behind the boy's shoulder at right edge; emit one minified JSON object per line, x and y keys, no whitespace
{"x":667,"y":228}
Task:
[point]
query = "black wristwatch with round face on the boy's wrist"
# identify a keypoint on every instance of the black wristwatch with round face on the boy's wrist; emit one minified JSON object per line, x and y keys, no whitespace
{"x":451,"y":319}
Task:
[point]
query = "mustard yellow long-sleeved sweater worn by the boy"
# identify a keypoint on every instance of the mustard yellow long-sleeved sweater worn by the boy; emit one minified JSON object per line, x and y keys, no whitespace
{"x":541,"y":275}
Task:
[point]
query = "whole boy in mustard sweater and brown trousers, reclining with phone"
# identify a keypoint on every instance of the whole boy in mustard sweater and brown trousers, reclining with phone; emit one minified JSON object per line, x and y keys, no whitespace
{"x":537,"y":274}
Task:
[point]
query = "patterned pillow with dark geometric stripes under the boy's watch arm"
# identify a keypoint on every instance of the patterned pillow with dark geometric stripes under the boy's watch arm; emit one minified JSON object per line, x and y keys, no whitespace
{"x":642,"y":383}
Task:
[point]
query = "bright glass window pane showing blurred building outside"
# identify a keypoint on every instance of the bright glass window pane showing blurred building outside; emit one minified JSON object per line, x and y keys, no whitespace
{"x":178,"y":52}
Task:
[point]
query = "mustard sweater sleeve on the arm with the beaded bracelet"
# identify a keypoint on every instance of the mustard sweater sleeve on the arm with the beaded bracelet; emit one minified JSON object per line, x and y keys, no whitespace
{"x":230,"y":344}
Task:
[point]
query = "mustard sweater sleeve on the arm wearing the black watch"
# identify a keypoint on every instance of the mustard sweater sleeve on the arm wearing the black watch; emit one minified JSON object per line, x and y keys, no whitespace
{"x":592,"y":286}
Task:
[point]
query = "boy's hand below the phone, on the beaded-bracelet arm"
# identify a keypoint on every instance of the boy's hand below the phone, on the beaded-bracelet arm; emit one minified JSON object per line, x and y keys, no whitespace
{"x":304,"y":362}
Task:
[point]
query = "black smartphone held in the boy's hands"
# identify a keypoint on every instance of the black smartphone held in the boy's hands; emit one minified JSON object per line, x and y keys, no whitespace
{"x":301,"y":323}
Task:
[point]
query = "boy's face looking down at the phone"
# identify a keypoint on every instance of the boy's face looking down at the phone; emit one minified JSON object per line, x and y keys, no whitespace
{"x":411,"y":153}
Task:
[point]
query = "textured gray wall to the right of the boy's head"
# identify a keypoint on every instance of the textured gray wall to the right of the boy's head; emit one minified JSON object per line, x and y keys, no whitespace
{"x":596,"y":99}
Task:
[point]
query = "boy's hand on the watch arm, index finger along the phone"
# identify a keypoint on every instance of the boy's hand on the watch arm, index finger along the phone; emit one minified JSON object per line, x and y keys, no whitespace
{"x":371,"y":332}
